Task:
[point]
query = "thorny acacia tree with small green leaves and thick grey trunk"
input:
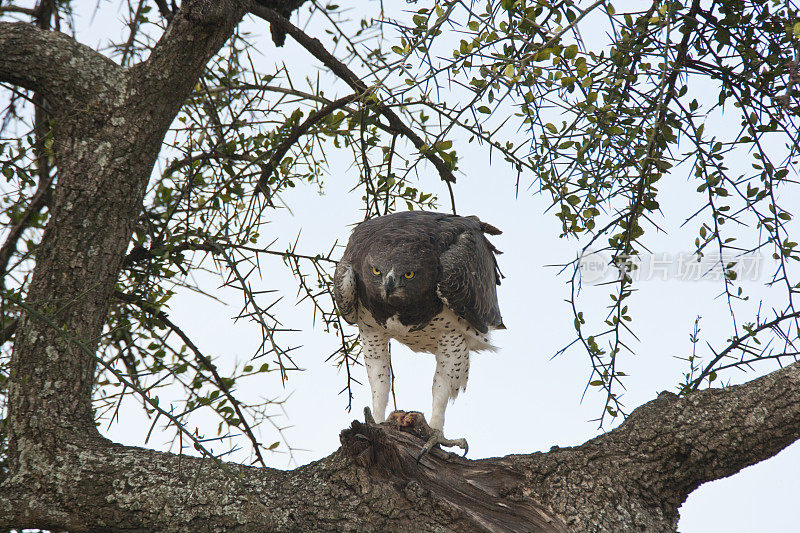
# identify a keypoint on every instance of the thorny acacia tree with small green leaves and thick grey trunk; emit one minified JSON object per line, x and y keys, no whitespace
{"x":166,"y":153}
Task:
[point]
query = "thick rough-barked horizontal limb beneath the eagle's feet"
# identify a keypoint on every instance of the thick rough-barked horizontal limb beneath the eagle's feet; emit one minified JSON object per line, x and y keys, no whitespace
{"x":630,"y":479}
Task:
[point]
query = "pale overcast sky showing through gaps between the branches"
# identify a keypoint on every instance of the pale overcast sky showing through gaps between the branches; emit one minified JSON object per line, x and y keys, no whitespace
{"x":518,"y":400}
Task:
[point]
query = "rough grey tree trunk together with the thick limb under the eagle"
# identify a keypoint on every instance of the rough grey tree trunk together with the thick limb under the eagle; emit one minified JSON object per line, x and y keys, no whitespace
{"x":109,"y":126}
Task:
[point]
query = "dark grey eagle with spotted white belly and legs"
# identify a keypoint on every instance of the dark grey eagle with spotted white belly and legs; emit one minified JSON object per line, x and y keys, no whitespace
{"x":428,"y":280}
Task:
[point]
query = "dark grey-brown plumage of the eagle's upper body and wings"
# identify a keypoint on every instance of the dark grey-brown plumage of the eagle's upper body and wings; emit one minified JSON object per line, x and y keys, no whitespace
{"x":449,"y":253}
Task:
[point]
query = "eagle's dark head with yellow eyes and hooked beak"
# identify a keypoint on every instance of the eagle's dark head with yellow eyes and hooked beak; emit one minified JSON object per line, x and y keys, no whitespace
{"x":401,"y":277}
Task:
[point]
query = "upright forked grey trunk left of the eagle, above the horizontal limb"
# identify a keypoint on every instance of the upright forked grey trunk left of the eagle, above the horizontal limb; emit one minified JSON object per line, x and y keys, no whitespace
{"x":105,"y":150}
